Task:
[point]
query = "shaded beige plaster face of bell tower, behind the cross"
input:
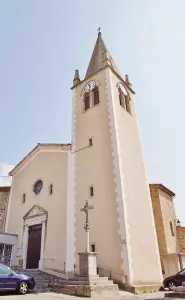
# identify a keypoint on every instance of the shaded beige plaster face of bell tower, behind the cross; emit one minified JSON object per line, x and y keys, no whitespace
{"x":95,"y":166}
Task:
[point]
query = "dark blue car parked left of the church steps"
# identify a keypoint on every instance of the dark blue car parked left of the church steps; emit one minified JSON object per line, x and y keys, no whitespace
{"x":11,"y":281}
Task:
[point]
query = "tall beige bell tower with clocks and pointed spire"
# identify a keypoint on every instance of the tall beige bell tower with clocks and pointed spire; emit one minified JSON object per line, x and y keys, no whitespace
{"x":109,"y":171}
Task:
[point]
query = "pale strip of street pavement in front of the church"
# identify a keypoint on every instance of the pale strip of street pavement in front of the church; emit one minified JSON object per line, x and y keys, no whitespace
{"x":54,"y":296}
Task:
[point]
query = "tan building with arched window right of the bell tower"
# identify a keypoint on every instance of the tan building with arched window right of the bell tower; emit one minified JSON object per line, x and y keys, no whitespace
{"x":170,"y":235}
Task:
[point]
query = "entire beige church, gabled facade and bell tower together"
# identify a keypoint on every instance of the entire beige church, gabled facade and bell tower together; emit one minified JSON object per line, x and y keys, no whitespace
{"x":104,"y":165}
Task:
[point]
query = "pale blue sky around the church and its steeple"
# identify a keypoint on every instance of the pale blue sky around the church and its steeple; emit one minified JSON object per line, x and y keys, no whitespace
{"x":44,"y":41}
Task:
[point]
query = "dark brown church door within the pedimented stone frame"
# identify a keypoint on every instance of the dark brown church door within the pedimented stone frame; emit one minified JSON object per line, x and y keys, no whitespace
{"x":34,"y":246}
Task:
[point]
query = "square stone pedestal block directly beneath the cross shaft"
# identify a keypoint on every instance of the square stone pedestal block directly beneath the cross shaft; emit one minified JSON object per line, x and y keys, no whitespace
{"x":87,"y":264}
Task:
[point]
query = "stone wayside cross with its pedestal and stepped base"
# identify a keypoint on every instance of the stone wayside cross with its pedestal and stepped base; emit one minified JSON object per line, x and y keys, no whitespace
{"x":88,"y":283}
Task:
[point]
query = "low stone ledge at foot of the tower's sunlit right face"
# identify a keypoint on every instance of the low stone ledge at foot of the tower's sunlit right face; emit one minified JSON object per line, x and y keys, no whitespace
{"x":137,"y":289}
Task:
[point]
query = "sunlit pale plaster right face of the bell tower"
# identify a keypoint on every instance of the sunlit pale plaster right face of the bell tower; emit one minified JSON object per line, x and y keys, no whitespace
{"x":142,"y":247}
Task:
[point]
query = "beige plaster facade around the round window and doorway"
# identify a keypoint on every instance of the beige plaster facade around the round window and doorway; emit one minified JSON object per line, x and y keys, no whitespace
{"x":52,"y":168}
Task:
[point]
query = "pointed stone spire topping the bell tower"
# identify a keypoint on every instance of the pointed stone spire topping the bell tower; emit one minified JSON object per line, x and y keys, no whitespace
{"x":100,"y":58}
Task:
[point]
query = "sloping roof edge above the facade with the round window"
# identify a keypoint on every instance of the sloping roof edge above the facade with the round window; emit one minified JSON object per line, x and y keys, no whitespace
{"x":65,"y":147}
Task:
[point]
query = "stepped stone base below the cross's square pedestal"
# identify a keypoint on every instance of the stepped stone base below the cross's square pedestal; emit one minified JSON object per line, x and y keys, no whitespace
{"x":87,"y":287}
